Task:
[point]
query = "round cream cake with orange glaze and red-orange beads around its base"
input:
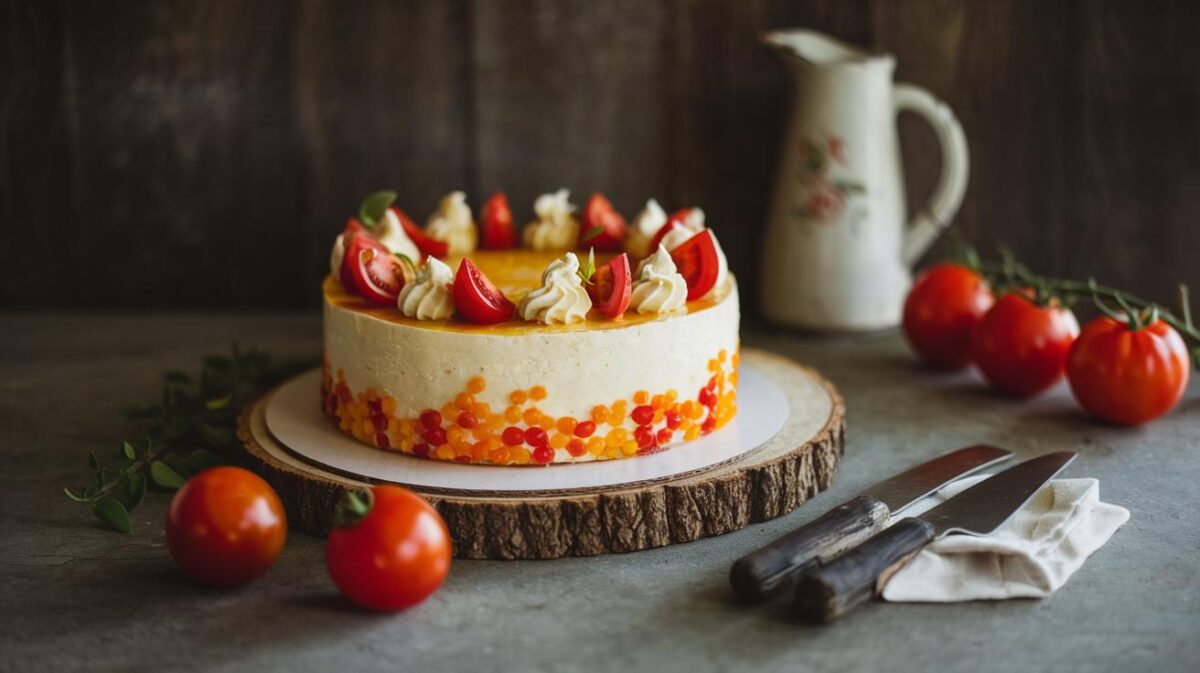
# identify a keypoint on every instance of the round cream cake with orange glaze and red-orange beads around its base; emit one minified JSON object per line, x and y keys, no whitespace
{"x":539,"y":387}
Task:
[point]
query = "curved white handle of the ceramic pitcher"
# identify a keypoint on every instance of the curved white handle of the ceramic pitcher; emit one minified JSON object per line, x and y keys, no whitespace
{"x":928,"y":224}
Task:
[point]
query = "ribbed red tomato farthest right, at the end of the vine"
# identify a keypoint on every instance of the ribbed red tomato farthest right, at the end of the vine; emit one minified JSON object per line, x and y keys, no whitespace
{"x":1127,"y":376}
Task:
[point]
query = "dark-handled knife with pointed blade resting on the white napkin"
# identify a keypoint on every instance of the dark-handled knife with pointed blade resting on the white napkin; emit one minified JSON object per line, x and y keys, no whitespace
{"x":838,"y":587}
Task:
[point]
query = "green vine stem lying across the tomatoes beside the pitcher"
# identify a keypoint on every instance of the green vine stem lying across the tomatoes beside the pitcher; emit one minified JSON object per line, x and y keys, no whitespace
{"x":1011,"y":275}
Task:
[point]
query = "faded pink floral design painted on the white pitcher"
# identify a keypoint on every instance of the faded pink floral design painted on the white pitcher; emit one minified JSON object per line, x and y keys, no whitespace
{"x":823,"y":197}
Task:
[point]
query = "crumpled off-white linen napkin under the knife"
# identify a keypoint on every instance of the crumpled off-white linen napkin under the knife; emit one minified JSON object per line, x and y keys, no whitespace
{"x":1031,"y":556}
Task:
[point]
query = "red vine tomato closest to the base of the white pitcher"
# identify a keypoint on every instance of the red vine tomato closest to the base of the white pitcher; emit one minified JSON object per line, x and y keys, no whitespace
{"x":944,"y":308}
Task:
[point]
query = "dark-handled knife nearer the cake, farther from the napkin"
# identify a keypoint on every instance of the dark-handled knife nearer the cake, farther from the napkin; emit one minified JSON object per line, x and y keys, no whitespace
{"x":763,"y":574}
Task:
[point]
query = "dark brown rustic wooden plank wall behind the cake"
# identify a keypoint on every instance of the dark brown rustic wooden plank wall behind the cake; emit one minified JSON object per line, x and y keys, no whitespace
{"x":182,"y":154}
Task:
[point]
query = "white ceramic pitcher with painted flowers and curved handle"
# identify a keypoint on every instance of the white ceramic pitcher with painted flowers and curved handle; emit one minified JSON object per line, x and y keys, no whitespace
{"x":838,"y":253}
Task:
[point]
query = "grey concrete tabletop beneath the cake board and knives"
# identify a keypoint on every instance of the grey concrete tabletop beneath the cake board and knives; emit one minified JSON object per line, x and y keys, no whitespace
{"x":79,"y":597}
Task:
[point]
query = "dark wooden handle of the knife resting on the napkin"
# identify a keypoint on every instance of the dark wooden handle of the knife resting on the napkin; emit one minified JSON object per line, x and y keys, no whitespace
{"x":838,"y":587}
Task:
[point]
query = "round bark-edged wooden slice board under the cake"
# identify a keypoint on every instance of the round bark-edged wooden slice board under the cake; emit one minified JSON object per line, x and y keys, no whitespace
{"x":760,"y":485}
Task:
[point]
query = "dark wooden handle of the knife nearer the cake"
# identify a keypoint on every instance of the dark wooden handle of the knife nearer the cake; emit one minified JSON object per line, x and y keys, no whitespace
{"x":766,"y":573}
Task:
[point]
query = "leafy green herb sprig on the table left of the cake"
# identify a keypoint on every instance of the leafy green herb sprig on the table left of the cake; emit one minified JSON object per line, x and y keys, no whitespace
{"x":191,"y":429}
